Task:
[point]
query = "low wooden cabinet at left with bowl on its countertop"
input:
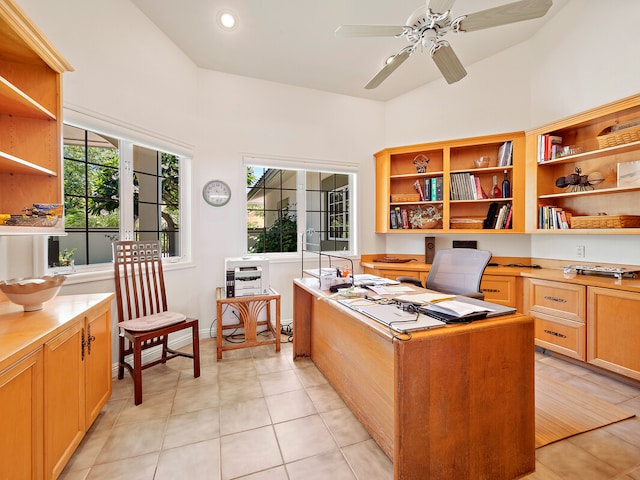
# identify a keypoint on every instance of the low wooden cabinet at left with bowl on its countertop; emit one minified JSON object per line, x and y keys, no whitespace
{"x":55,"y":377}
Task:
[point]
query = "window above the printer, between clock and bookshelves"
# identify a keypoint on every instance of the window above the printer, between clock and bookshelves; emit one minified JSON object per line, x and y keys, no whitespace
{"x":281,"y":203}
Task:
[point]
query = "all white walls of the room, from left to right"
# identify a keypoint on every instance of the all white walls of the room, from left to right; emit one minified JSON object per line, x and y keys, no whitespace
{"x":127,"y":72}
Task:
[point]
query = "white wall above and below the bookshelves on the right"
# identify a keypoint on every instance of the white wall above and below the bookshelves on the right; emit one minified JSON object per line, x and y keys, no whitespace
{"x":583,"y":57}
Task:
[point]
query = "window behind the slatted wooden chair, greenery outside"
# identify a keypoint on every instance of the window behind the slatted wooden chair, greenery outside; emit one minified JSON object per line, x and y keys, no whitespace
{"x":114,"y":189}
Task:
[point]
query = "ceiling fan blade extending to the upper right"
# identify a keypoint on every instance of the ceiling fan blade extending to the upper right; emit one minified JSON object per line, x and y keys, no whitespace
{"x":505,"y":14}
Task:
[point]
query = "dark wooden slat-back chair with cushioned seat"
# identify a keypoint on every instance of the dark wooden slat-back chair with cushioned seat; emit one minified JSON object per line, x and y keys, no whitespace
{"x":144,"y":319}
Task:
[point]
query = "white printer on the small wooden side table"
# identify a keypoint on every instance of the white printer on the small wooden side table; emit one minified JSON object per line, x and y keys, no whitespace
{"x":246,"y":276}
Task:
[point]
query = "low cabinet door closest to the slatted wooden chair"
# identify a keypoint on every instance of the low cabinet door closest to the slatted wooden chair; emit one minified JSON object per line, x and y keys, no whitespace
{"x":97,"y":364}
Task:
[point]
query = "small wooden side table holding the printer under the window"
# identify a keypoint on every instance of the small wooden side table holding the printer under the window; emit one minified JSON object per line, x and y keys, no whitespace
{"x":249,"y":309}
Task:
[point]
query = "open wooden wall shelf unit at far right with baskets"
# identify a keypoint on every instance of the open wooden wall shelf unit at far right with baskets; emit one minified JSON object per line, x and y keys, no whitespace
{"x":578,"y":150}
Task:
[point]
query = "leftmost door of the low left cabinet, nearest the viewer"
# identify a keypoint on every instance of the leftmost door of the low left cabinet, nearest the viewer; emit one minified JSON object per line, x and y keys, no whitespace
{"x":21,"y":419}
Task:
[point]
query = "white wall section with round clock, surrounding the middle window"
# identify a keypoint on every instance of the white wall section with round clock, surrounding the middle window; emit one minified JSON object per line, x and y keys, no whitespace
{"x":241,"y":116}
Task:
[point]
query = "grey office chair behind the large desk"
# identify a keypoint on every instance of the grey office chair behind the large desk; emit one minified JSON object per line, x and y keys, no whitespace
{"x":456,"y":271}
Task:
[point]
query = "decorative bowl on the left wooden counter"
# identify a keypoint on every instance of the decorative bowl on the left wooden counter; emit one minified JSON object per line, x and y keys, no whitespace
{"x":31,"y":293}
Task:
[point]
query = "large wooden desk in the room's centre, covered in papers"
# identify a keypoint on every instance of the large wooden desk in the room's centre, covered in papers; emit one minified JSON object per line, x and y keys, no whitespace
{"x":451,"y":403}
